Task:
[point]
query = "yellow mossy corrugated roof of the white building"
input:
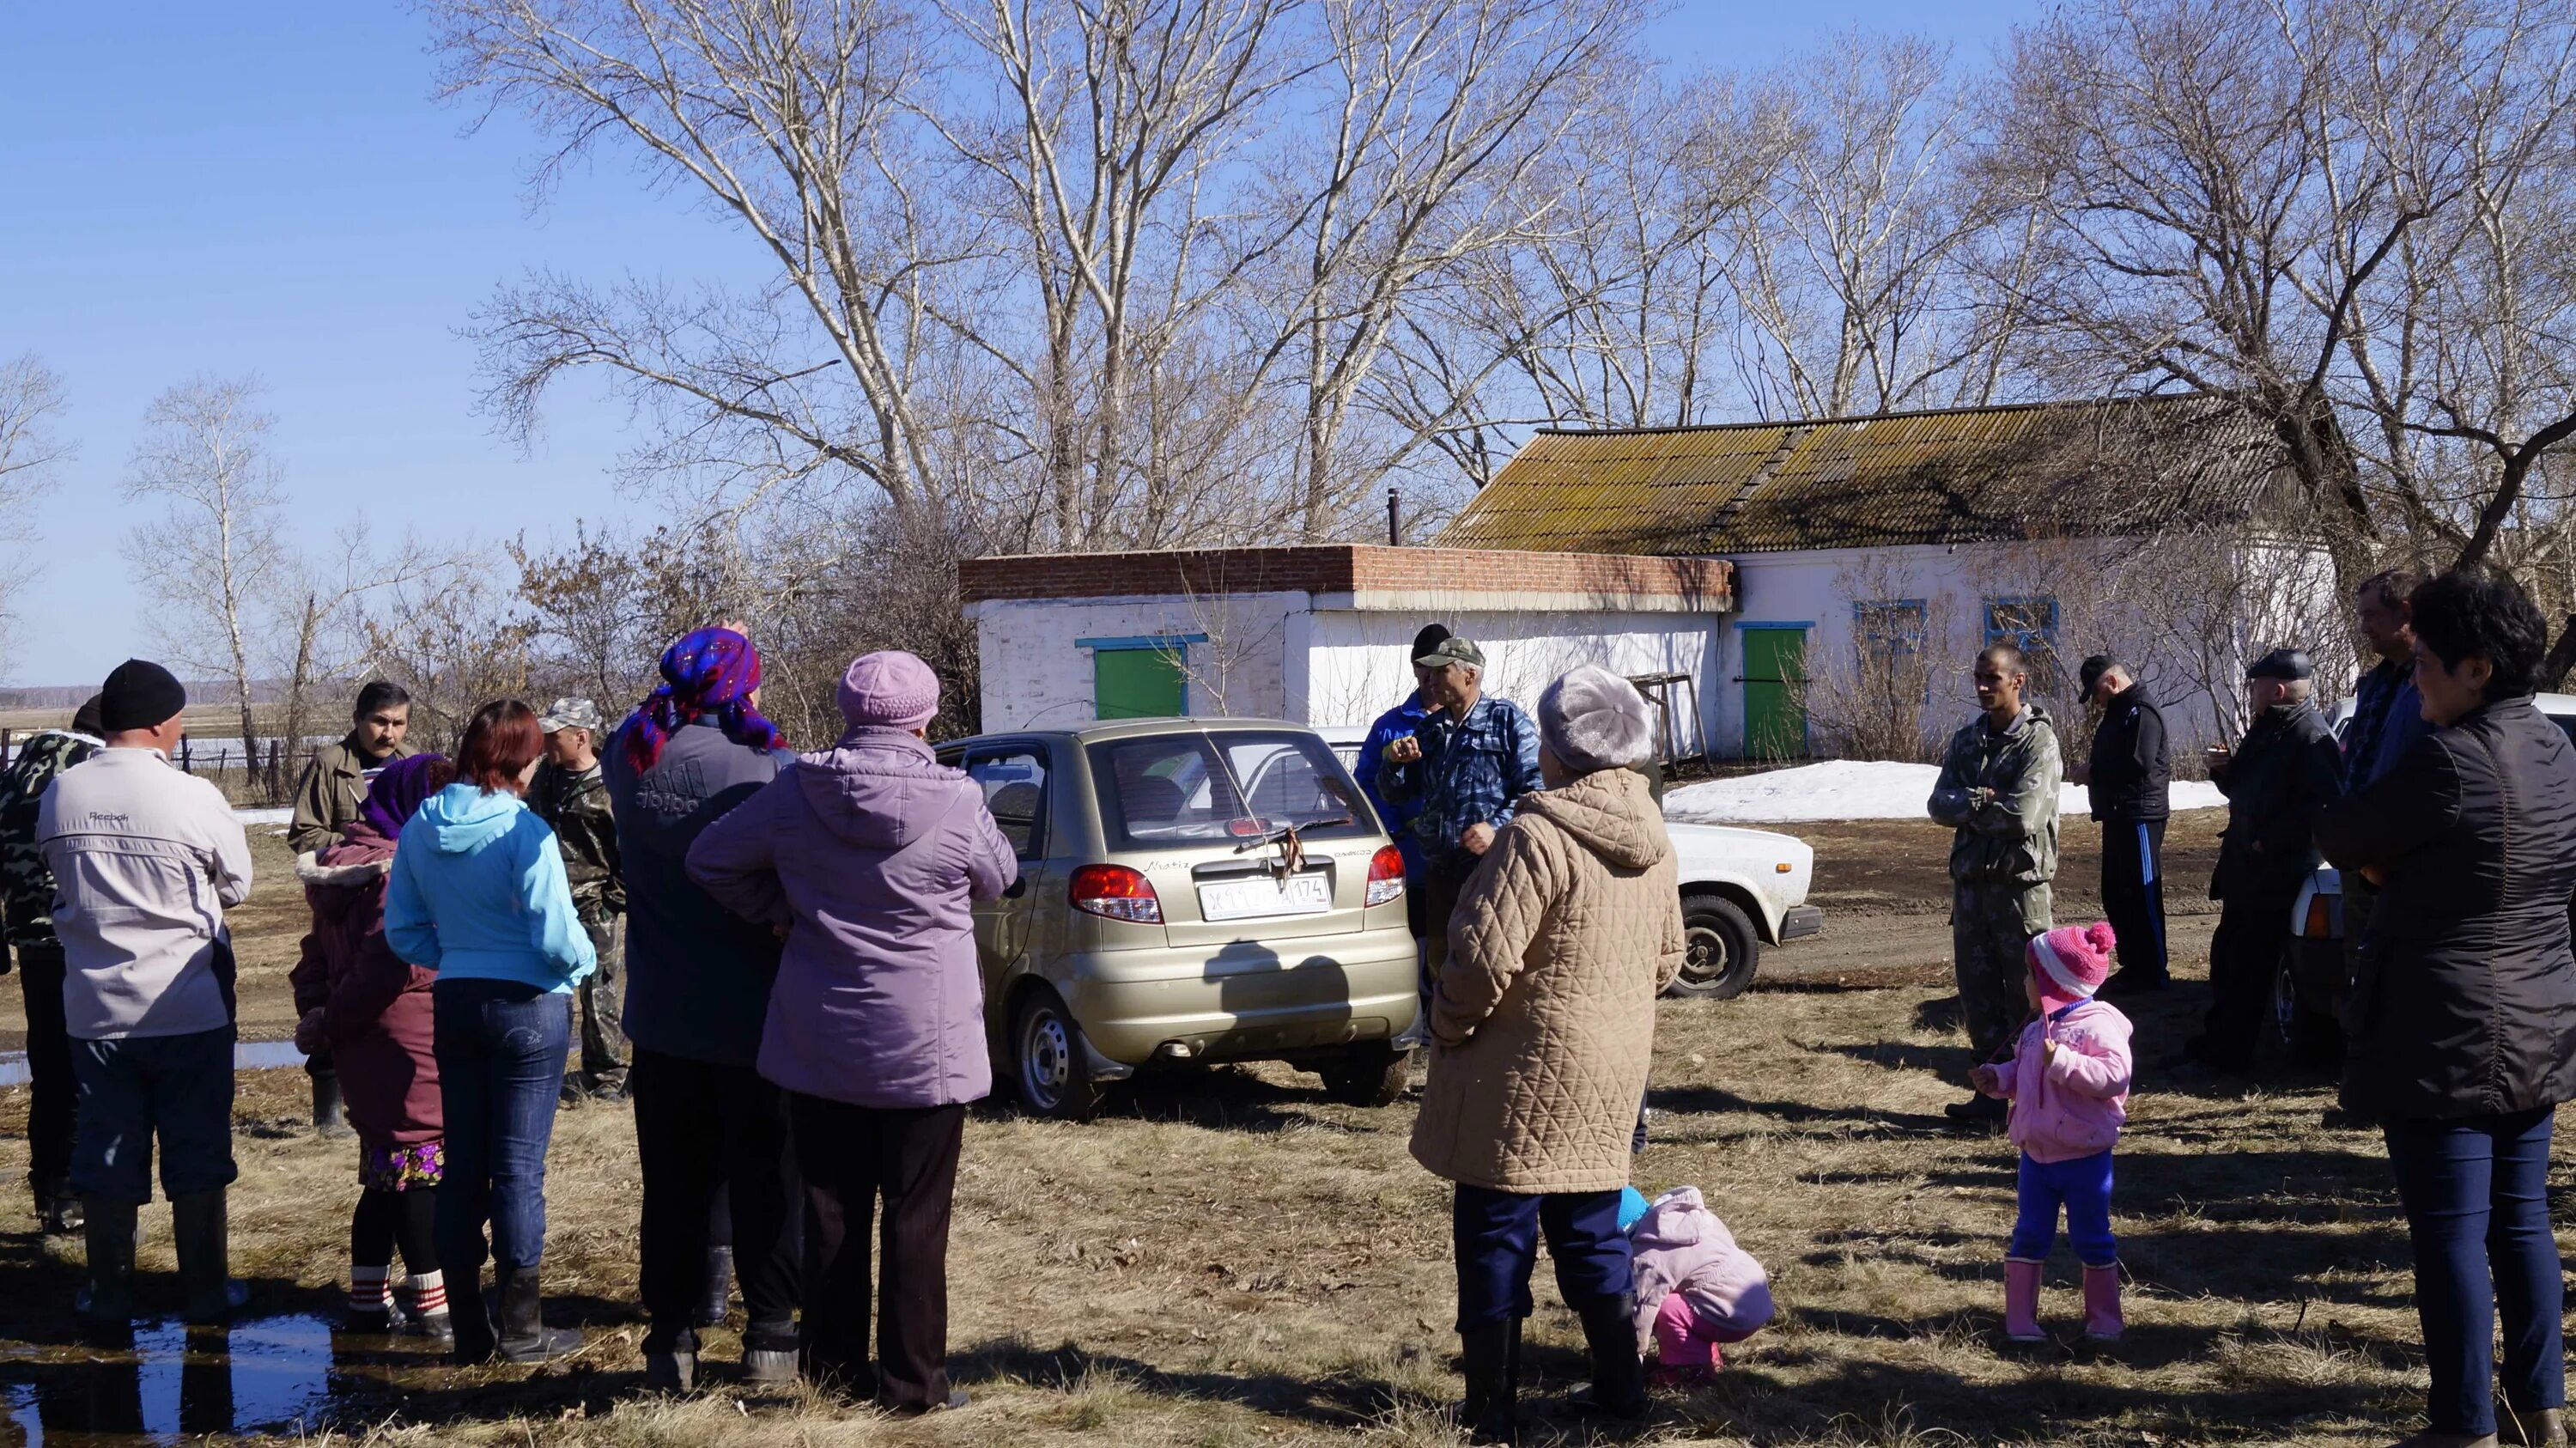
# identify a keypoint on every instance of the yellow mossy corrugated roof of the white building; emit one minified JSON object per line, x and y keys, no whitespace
{"x":1915,"y":478}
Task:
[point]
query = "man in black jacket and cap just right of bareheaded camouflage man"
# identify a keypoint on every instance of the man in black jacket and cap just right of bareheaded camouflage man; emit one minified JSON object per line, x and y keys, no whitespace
{"x":2132,"y":797}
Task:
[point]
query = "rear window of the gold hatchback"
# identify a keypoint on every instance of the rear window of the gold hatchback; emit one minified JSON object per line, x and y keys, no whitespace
{"x":1227,"y":787}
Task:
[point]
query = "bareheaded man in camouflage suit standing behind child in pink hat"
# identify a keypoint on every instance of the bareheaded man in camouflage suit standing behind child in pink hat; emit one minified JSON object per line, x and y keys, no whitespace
{"x":2000,"y":790}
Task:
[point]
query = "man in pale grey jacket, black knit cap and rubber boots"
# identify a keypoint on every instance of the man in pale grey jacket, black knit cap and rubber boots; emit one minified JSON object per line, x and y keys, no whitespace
{"x":146,"y":864}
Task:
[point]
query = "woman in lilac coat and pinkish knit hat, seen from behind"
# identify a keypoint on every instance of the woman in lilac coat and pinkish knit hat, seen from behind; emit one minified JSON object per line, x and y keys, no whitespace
{"x":872,"y":857}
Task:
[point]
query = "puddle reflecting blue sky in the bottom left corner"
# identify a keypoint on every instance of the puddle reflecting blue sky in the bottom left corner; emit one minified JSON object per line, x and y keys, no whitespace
{"x":267,"y":1375}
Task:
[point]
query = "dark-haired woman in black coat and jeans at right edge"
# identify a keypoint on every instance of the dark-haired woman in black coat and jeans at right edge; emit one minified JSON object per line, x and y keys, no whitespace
{"x":2464,"y":1001}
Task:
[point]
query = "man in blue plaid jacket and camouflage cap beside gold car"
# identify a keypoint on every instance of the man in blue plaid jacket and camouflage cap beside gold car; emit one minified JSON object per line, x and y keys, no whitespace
{"x":1464,"y":769}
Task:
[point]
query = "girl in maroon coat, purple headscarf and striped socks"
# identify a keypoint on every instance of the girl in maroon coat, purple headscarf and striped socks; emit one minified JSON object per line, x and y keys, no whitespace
{"x":372,"y":1011}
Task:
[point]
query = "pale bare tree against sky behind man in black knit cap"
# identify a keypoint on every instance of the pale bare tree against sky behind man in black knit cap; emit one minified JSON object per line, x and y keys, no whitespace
{"x":215,"y":553}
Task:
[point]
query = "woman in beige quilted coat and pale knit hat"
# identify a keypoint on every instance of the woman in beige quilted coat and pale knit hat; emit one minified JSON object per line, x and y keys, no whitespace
{"x":1542,"y":1032}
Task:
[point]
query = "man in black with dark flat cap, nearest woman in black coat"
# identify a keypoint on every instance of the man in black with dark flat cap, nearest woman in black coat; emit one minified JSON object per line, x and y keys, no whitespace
{"x":2278,"y":777}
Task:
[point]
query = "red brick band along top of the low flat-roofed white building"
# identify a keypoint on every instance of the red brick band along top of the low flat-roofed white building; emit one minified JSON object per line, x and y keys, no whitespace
{"x":1336,"y":568}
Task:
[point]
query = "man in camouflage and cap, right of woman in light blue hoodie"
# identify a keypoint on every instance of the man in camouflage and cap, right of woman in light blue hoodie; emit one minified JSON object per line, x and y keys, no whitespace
{"x":573,"y":797}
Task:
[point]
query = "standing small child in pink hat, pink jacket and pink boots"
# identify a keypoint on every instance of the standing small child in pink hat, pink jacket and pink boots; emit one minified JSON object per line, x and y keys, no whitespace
{"x":2070,"y":1094}
